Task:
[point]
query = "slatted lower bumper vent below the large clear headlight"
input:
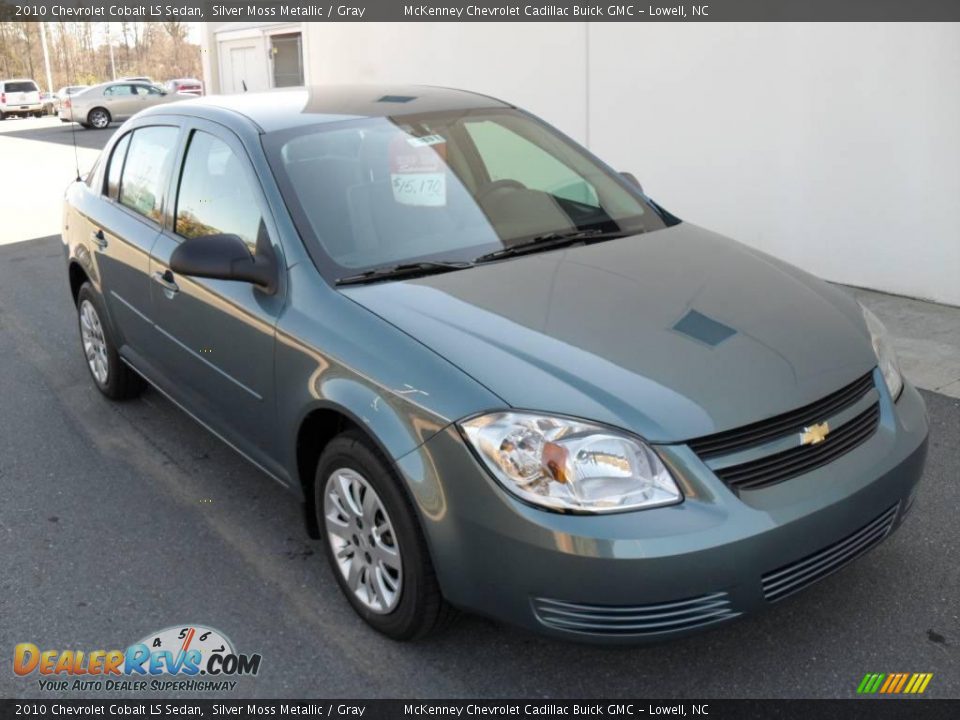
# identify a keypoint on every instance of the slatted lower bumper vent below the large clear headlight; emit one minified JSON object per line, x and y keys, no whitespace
{"x":637,"y":619}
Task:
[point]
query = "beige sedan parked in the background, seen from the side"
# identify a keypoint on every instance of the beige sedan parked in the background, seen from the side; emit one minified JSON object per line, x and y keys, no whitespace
{"x":109,"y":102}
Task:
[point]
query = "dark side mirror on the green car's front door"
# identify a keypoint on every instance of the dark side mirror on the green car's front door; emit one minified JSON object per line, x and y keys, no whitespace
{"x":225,"y":257}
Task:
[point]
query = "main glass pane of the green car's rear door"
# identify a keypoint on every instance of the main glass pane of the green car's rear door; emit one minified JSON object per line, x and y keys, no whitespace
{"x":146,"y":170}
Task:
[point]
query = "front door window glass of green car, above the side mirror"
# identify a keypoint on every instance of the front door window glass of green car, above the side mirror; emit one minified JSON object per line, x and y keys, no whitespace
{"x":215,"y":196}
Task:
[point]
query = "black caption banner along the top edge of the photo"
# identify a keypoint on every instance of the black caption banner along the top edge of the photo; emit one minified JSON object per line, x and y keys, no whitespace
{"x":482,"y":11}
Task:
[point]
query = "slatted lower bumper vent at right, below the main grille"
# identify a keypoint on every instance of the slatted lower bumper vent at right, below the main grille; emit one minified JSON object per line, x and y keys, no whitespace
{"x":792,"y":578}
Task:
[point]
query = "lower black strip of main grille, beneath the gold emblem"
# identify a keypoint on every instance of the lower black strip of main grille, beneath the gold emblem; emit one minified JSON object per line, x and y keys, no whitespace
{"x":803,"y":458}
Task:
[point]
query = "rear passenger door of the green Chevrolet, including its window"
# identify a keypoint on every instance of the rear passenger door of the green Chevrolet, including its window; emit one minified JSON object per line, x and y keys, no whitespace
{"x":120,"y":228}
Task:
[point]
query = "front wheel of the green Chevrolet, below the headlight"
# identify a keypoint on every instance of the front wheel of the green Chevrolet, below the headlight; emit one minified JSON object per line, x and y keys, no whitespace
{"x":374,"y":543}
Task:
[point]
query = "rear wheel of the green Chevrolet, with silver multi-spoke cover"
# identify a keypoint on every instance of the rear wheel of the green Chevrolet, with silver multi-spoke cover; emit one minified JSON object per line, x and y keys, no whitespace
{"x":111,"y":376}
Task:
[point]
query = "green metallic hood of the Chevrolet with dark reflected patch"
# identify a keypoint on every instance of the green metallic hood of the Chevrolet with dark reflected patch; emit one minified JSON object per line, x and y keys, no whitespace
{"x":674,"y":334}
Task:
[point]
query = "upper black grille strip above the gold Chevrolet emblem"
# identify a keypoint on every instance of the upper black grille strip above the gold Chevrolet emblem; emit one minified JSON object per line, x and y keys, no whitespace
{"x":731,"y":441}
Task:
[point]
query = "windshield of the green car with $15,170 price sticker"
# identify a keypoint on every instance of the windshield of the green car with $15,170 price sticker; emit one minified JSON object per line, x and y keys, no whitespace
{"x":448,"y":186}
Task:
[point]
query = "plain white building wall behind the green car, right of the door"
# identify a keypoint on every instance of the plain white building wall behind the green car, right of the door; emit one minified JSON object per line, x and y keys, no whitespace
{"x":833,"y":146}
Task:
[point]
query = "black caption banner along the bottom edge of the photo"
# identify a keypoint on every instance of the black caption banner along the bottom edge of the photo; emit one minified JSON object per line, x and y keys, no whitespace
{"x":868,"y":709}
